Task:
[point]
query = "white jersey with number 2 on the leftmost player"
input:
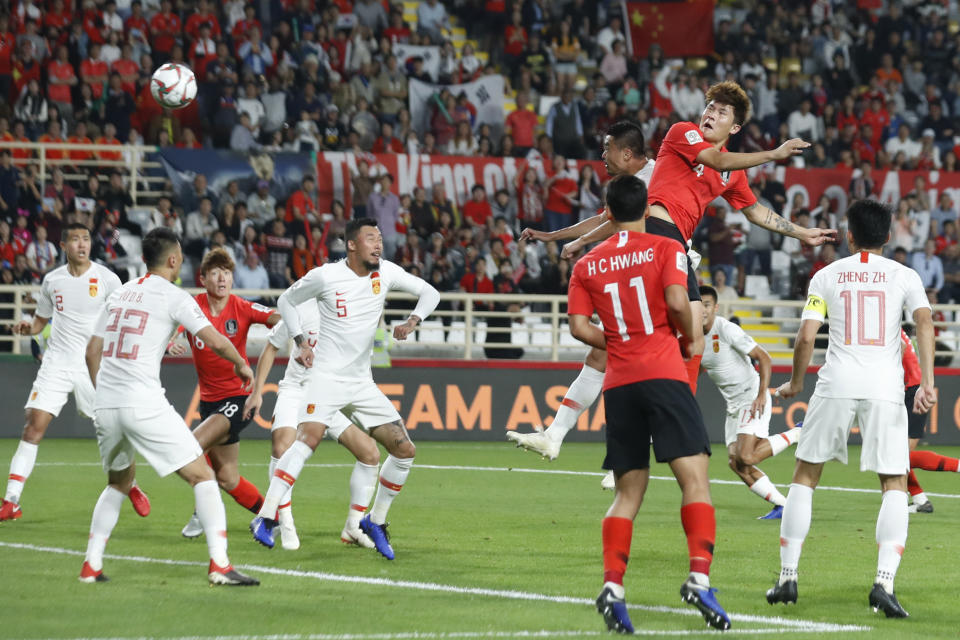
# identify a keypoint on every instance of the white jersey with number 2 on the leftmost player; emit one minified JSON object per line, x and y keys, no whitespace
{"x":73,"y":304}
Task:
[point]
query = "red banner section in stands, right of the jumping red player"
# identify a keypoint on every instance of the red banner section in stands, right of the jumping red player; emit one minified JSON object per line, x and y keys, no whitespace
{"x":889,"y":186}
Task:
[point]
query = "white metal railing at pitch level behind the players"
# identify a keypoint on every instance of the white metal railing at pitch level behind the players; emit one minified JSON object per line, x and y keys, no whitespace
{"x":539,"y":328}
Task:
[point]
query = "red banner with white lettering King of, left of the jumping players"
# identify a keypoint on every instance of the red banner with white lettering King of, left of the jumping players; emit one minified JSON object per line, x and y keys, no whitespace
{"x":456,"y":173}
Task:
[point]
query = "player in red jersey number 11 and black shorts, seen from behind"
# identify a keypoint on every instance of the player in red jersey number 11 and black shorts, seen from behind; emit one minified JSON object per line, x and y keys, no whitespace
{"x":637,"y":283}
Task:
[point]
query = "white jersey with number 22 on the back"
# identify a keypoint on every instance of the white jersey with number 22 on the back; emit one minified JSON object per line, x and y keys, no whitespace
{"x":136,"y":325}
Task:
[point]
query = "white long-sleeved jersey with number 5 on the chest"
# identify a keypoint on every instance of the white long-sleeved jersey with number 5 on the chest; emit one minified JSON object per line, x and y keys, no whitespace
{"x":350,"y":307}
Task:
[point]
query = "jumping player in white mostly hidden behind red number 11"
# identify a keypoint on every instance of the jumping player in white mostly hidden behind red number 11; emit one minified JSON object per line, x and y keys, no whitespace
{"x":623,"y":154}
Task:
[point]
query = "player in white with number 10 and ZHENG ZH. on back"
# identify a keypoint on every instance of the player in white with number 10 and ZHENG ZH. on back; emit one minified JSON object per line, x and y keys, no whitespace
{"x":861,"y":383}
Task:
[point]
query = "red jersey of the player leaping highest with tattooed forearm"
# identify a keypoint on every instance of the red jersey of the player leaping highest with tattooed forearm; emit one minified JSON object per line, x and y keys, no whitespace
{"x":685,"y":187}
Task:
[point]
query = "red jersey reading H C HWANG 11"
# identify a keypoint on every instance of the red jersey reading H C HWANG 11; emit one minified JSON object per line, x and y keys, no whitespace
{"x":624,"y":279}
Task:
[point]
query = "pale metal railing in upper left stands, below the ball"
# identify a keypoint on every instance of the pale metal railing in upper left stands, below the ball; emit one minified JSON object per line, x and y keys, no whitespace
{"x":143,"y":186}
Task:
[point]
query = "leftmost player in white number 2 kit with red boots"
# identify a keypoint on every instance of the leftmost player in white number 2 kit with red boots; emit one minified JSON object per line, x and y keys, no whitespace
{"x":72,"y":296}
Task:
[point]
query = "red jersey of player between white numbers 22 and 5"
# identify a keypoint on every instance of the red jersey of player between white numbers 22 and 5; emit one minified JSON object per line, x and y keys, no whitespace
{"x":217,"y":379}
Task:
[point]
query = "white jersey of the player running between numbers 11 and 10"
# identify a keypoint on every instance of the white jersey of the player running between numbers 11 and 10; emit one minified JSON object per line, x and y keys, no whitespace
{"x":726,"y":361}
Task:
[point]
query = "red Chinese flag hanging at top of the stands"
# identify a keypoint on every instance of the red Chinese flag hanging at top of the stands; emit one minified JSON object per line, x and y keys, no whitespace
{"x":681,"y":28}
